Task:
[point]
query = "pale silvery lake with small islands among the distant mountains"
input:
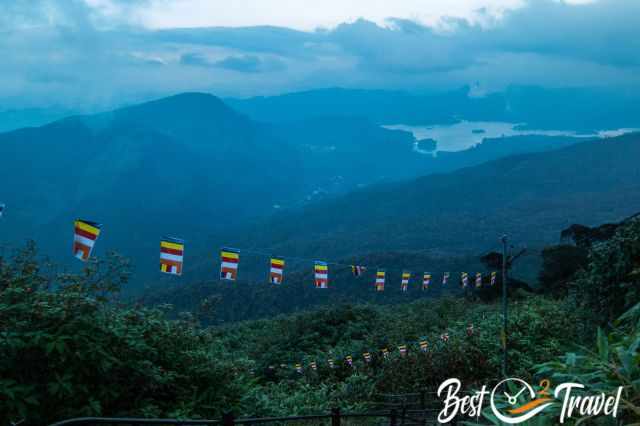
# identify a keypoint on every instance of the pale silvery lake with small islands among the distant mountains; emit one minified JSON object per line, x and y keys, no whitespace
{"x":465,"y":134}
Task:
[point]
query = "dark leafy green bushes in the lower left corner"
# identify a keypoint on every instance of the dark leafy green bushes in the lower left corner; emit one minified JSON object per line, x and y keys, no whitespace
{"x":68,"y":351}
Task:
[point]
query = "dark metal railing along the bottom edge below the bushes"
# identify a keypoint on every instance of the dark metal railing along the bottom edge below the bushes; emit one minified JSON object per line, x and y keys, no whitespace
{"x":336,"y":418}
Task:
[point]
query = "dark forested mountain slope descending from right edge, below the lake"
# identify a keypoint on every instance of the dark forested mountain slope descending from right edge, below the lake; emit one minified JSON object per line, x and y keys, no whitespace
{"x":531,"y":197}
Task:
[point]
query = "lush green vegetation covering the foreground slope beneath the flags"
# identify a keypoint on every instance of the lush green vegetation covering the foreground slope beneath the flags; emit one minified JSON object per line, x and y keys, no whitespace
{"x":71,"y":348}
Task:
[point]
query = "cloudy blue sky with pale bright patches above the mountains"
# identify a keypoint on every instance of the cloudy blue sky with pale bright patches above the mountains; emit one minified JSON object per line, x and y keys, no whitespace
{"x":101,"y":53}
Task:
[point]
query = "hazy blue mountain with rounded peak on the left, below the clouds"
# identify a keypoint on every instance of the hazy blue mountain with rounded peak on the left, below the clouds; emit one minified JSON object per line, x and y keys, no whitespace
{"x":190,"y":166}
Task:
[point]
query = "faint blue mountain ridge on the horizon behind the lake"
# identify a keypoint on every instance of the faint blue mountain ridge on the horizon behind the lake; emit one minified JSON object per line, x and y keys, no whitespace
{"x":579,"y":109}
